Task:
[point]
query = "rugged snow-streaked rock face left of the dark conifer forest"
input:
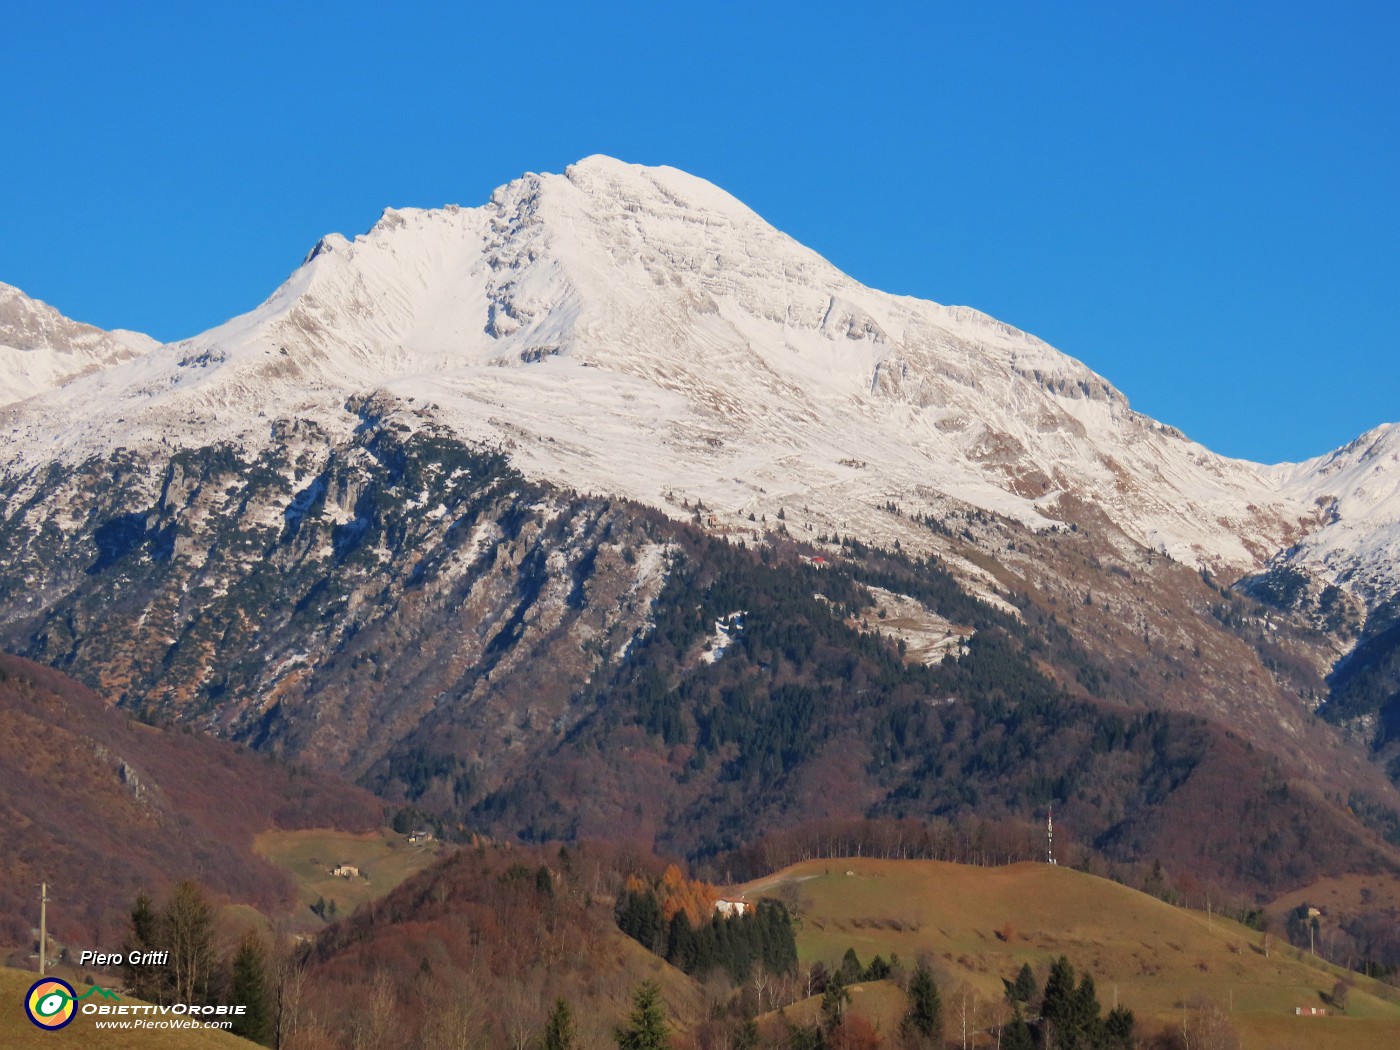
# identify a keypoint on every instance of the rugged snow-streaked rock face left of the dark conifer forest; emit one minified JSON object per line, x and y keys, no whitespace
{"x":325,"y":600}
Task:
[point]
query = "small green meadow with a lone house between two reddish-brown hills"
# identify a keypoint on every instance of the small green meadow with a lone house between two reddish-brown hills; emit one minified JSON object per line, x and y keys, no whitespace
{"x":384,"y":860}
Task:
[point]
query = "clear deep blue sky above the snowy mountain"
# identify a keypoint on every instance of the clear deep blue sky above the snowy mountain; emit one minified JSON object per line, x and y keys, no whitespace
{"x":1198,"y":199}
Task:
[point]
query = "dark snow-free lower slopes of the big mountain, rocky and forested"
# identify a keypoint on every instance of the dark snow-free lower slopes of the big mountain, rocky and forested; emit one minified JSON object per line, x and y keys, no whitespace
{"x":412,"y":614}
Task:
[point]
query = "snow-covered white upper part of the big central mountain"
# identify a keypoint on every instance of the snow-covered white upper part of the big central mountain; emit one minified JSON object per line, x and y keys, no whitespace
{"x":640,"y":332}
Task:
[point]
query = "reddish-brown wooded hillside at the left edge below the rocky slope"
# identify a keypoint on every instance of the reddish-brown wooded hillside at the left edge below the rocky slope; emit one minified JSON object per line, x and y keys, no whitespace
{"x":103,"y":808}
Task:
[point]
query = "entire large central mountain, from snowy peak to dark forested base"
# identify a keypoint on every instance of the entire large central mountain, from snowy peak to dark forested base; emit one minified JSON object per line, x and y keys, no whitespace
{"x":348,"y":528}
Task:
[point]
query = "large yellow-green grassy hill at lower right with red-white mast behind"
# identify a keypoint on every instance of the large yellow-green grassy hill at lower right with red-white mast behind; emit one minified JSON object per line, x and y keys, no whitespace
{"x":981,"y":925}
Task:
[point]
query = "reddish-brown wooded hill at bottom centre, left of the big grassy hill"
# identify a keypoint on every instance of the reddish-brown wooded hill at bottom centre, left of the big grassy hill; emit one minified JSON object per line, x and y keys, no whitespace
{"x":482,"y":944}
